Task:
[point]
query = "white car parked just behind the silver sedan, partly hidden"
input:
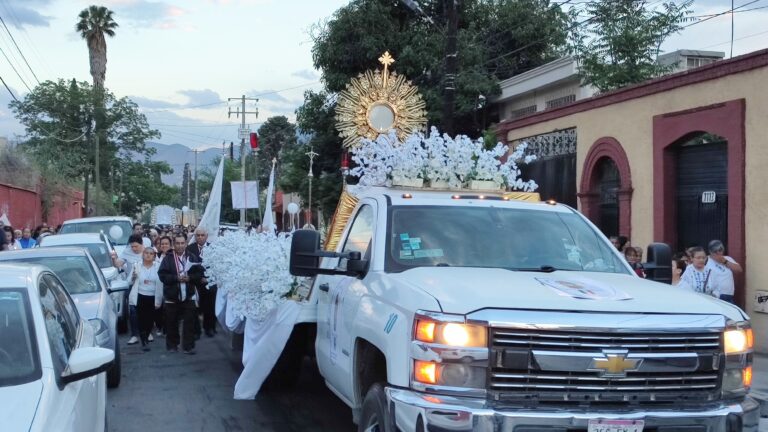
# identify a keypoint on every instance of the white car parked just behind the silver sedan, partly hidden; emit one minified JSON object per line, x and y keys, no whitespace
{"x":101,"y":249}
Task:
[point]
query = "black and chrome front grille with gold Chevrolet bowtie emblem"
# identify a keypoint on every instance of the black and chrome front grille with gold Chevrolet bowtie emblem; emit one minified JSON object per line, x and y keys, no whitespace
{"x":518,"y":372}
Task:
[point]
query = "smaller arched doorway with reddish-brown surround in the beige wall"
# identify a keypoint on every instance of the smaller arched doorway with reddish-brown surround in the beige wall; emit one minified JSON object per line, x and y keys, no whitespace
{"x":606,"y":187}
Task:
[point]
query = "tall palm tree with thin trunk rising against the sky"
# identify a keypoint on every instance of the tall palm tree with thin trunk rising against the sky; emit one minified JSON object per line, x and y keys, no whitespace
{"x":95,"y":22}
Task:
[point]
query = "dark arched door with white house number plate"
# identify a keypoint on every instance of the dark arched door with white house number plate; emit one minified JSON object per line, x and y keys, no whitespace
{"x":701,"y":171}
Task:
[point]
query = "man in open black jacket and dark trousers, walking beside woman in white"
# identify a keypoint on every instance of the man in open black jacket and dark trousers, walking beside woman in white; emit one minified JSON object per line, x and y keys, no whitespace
{"x":180,"y":297}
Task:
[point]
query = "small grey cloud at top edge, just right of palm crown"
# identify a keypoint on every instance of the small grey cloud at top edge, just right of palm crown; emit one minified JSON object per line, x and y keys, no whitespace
{"x":144,"y":13}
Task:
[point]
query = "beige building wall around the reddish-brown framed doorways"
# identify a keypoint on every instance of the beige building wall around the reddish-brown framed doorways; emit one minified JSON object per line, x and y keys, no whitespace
{"x":631,"y":123}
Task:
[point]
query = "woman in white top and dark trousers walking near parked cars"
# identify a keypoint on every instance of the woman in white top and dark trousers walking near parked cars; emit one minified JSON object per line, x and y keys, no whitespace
{"x":147,"y":295}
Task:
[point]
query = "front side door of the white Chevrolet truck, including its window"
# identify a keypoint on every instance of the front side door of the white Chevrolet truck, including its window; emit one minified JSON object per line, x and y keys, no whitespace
{"x":336,"y":305}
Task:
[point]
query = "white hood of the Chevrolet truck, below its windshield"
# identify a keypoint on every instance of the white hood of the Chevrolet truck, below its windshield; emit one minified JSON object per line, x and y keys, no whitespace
{"x":463,"y":290}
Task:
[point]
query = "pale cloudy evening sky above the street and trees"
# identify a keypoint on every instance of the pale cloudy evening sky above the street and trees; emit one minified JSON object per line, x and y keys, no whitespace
{"x":180,"y":60}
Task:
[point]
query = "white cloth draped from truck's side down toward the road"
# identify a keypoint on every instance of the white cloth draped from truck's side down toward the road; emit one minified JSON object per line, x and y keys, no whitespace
{"x":262,"y":346}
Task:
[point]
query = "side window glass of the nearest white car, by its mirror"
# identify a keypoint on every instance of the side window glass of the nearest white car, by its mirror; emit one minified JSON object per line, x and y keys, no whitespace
{"x":59,"y":329}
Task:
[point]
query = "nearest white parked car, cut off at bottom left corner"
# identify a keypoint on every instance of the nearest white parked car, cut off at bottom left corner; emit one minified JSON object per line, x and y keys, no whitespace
{"x":52,"y":374}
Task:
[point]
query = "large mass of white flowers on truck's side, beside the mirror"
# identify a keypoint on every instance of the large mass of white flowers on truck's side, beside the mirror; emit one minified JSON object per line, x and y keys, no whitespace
{"x":251,"y":270}
